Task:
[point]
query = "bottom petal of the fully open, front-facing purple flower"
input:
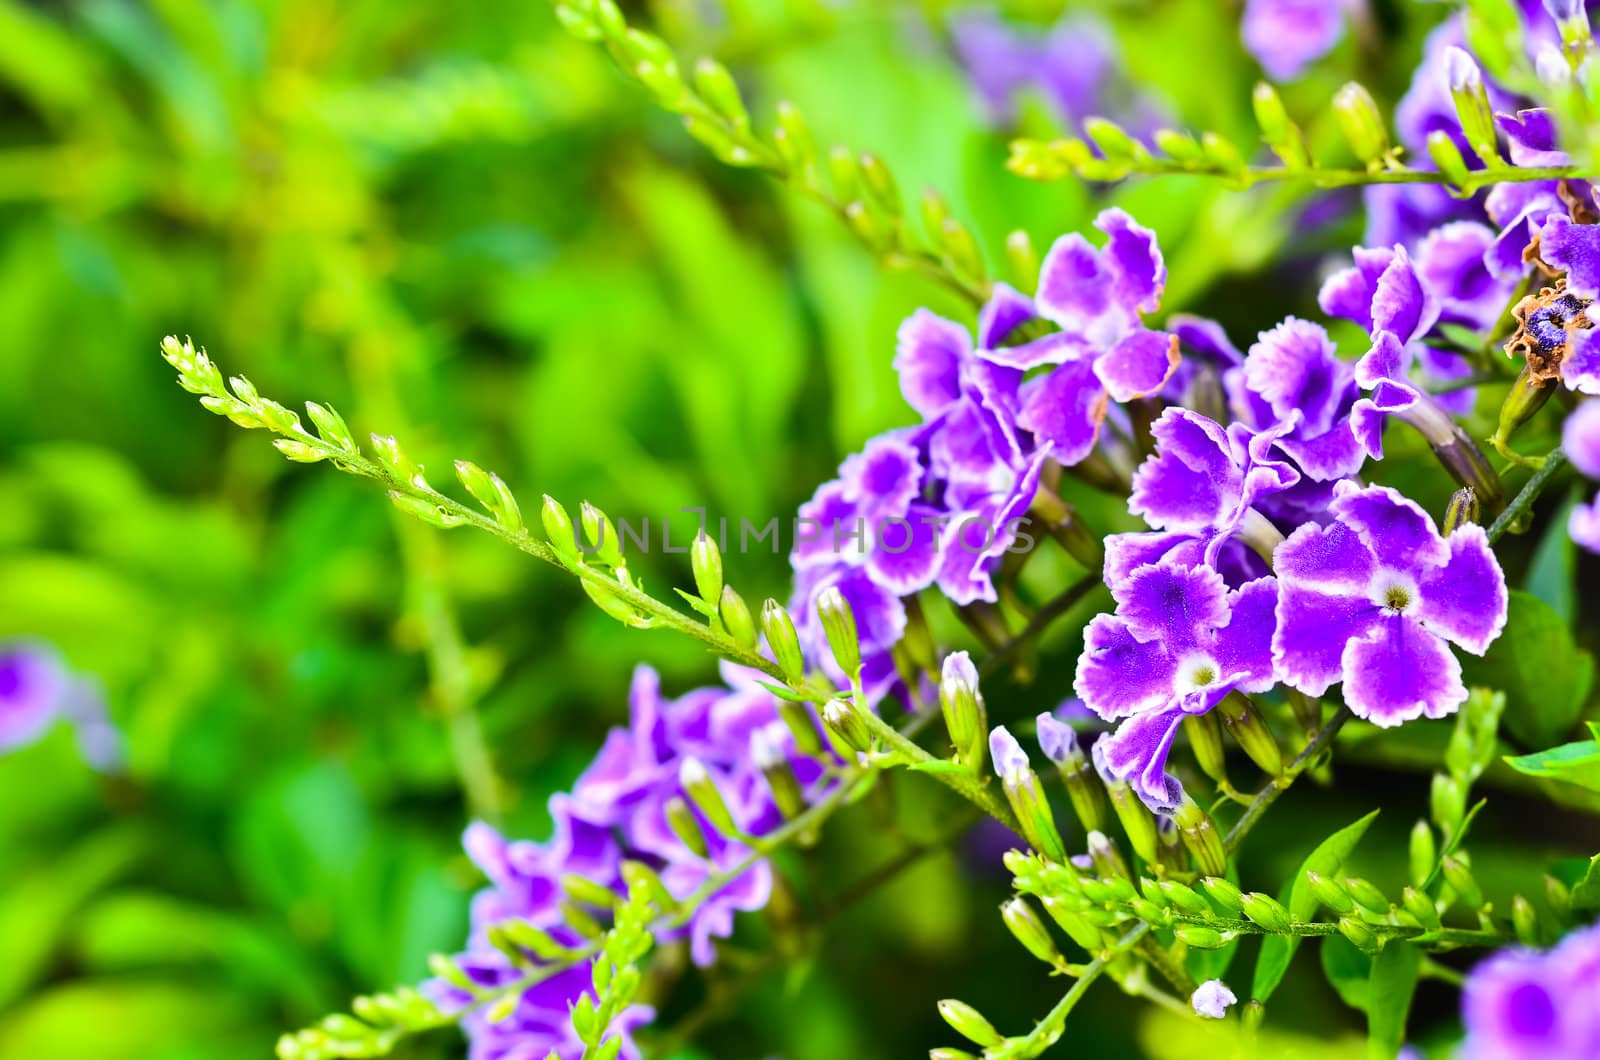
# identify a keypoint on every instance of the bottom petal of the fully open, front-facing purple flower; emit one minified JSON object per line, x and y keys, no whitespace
{"x":1401,"y":672}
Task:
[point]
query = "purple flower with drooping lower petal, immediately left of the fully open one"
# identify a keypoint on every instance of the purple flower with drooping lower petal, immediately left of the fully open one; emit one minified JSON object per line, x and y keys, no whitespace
{"x":1177,"y":646}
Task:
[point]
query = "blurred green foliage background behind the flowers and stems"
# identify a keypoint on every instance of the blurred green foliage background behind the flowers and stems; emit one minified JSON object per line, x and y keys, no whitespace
{"x":462,"y":227}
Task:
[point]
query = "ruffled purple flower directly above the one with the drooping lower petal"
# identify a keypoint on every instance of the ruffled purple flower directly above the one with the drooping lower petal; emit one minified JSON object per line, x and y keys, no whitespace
{"x":1199,"y":492}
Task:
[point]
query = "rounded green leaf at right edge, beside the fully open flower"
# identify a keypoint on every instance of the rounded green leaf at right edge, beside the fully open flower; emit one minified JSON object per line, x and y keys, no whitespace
{"x":1545,"y":675}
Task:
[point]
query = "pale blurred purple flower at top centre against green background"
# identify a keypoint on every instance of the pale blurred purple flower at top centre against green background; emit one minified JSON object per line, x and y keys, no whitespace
{"x":1074,"y":66}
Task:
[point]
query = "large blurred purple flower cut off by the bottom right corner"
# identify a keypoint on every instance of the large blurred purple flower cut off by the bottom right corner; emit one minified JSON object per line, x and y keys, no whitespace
{"x":1521,"y":1005}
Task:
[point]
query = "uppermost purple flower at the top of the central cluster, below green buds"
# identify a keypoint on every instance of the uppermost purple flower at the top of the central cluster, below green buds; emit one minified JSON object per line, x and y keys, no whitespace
{"x":1103,"y":351}
